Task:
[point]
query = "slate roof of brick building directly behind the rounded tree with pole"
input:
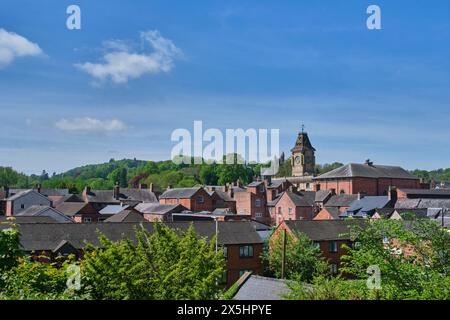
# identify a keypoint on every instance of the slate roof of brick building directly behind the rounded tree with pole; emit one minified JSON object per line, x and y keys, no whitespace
{"x":323,"y":230}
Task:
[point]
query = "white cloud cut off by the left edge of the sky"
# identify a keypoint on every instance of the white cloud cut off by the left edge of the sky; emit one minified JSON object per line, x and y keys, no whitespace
{"x":13,"y":46}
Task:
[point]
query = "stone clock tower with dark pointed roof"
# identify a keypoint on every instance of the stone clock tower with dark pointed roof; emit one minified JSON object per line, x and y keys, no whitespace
{"x":303,"y":159}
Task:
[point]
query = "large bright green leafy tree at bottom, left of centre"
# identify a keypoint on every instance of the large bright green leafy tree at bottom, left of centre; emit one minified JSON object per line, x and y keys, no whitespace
{"x":162,"y":265}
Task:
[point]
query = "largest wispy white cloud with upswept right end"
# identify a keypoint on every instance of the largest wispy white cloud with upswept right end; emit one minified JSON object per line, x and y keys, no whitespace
{"x":121,"y":63}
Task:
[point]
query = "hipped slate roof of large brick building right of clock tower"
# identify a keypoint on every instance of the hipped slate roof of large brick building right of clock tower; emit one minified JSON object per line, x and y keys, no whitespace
{"x":367,"y":171}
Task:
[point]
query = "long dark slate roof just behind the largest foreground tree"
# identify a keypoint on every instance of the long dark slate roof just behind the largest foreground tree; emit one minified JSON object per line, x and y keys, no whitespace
{"x":47,"y":236}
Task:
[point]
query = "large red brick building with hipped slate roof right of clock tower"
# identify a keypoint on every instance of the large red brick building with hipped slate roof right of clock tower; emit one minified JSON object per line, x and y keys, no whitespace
{"x":367,"y":178}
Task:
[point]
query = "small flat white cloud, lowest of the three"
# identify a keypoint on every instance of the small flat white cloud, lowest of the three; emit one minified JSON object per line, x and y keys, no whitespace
{"x":91,"y":125}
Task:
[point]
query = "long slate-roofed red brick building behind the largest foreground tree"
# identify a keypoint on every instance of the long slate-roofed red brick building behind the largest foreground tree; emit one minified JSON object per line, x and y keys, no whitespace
{"x":242,"y":244}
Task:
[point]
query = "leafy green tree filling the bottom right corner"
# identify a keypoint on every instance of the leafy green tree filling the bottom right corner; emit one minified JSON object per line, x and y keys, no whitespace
{"x":413,"y":257}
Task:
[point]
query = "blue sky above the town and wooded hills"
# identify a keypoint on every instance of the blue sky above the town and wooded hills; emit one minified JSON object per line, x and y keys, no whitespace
{"x":361,"y":94}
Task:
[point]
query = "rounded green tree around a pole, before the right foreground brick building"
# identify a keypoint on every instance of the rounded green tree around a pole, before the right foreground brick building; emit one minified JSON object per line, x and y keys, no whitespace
{"x":303,"y":257}
